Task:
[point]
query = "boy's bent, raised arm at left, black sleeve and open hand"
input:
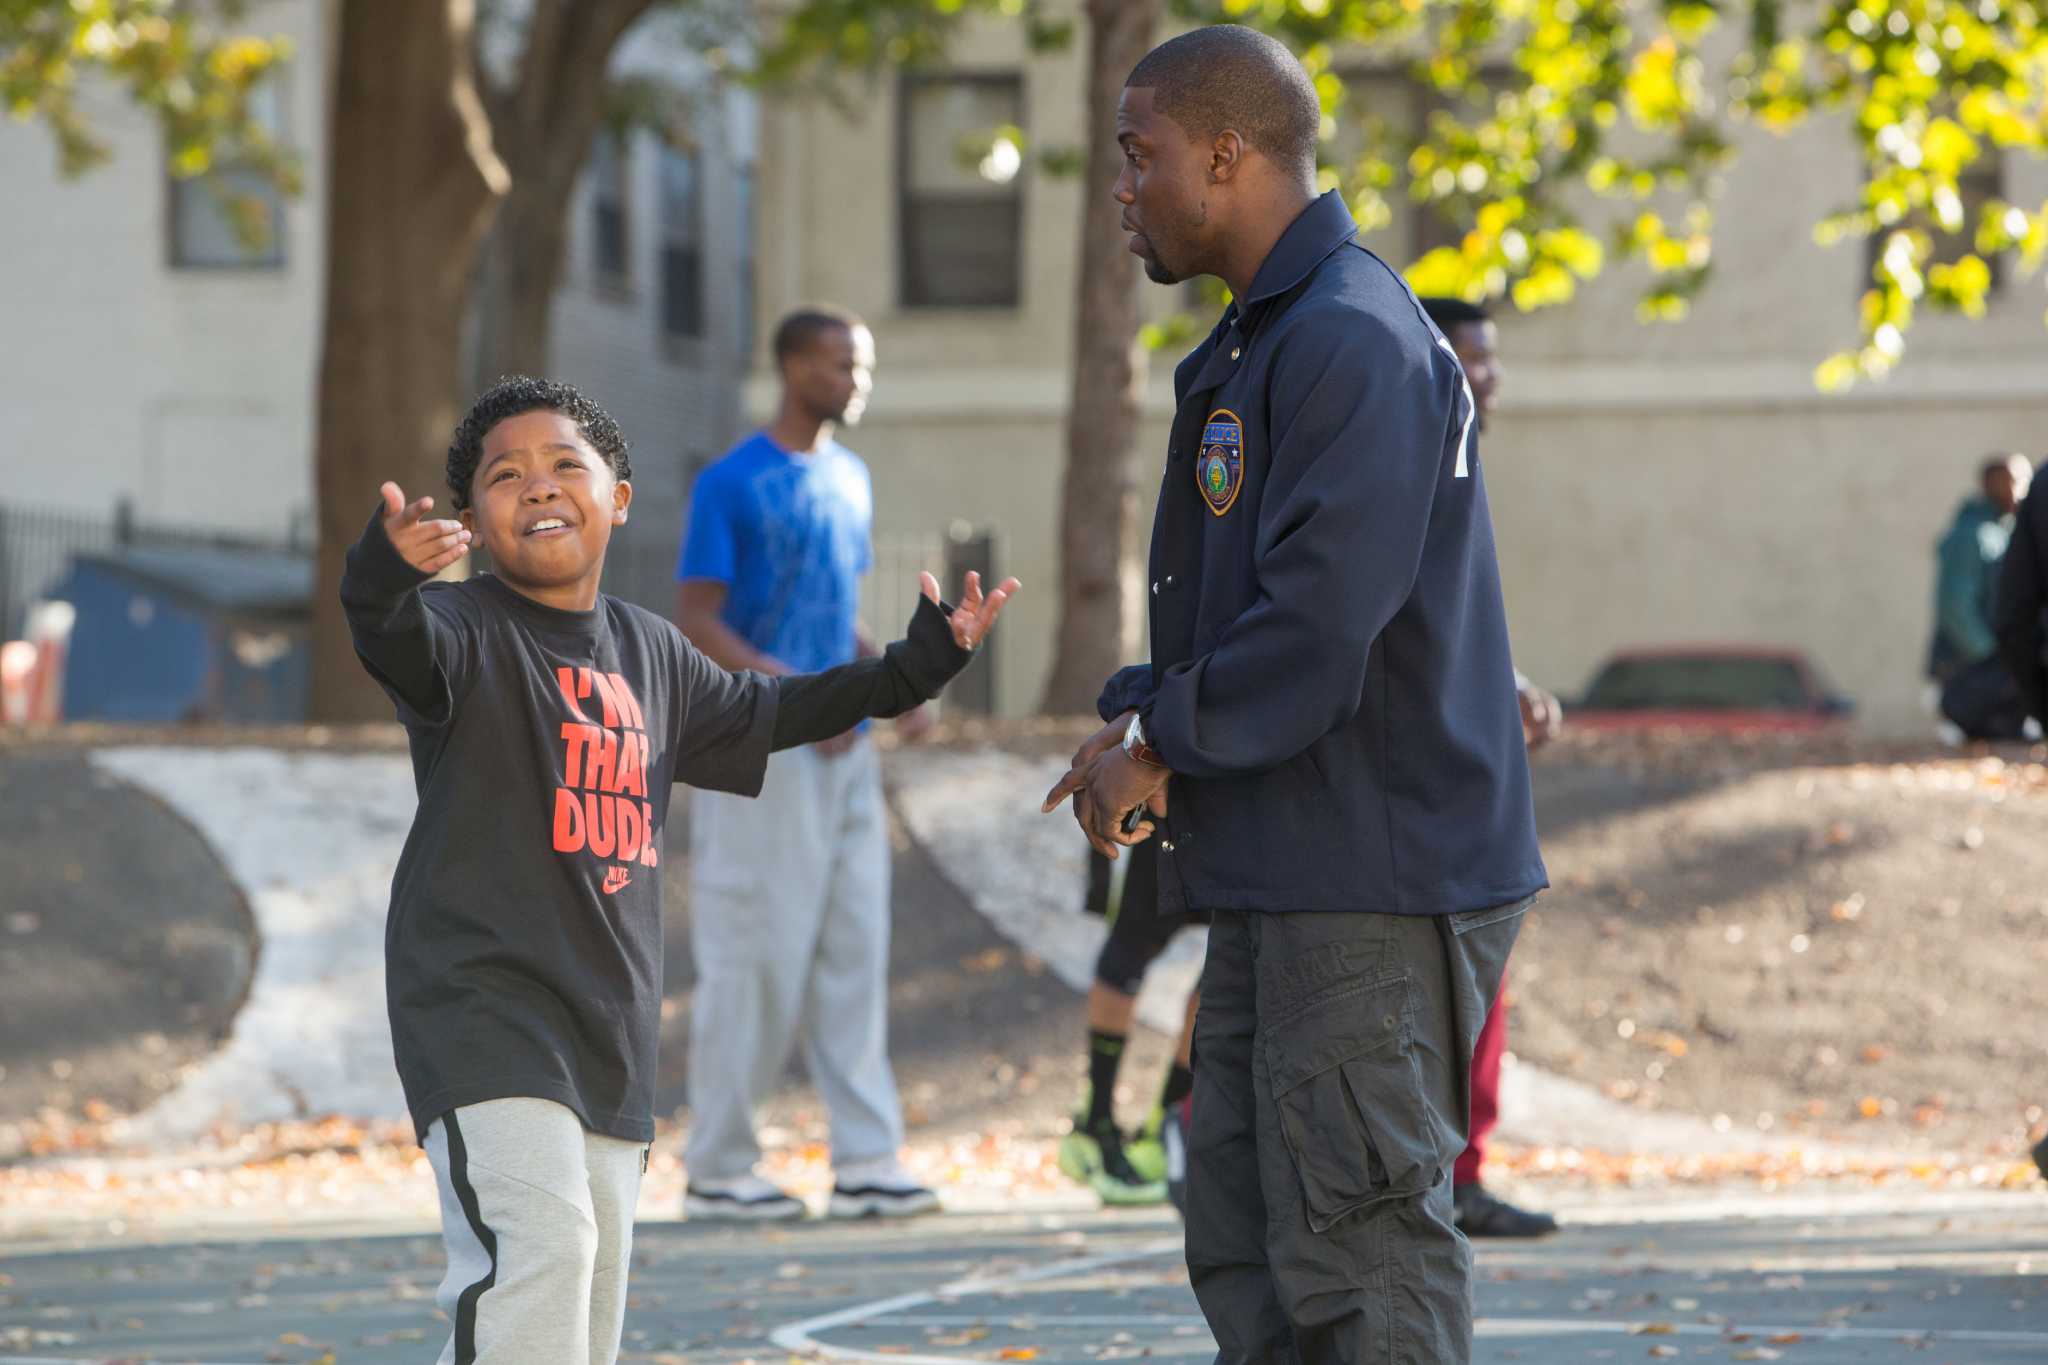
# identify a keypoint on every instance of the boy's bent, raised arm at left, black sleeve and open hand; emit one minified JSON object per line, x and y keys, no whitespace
{"x":409,"y":650}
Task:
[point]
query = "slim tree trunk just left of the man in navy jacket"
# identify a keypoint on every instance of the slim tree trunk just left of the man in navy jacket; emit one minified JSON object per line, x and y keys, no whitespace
{"x":1099,"y":511}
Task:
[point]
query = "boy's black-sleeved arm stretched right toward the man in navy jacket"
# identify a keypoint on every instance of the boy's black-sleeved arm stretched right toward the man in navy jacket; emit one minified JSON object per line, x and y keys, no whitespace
{"x":910,"y":672}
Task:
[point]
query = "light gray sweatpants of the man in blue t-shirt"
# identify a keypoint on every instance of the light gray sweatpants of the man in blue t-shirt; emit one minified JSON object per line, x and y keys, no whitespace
{"x":790,"y":926}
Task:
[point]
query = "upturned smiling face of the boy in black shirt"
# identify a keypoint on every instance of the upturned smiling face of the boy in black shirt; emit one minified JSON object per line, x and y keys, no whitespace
{"x":544,"y":504}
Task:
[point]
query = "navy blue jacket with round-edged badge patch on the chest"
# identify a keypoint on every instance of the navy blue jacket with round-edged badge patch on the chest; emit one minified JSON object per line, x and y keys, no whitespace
{"x":1330,"y":676}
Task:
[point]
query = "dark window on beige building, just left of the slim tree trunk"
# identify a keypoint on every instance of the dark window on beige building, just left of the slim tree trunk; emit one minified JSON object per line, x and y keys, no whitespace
{"x":959,"y":193}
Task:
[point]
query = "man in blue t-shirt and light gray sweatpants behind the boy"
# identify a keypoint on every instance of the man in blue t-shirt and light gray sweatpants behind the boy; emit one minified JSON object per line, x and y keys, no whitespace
{"x":790,"y":895}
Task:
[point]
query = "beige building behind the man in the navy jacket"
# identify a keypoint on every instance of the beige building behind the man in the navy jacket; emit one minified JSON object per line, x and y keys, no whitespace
{"x":1652,"y":484}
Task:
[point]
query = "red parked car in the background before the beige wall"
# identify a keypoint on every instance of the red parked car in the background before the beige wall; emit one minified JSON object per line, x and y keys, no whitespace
{"x":1709,"y":689}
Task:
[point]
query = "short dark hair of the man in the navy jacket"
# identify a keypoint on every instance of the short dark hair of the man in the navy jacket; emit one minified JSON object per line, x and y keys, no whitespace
{"x":1228,"y":77}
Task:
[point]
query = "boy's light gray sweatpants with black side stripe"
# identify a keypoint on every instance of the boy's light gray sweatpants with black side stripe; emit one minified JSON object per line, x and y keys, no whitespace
{"x":538,"y":1217}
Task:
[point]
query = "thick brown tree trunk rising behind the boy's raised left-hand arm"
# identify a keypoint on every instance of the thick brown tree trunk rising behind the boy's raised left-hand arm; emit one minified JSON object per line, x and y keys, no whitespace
{"x":413,"y":189}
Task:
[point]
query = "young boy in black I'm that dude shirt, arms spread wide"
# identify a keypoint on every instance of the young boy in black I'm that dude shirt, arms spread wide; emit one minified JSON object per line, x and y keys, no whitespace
{"x":523,"y":955}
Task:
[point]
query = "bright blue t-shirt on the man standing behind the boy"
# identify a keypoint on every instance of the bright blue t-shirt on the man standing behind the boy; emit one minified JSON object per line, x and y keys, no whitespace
{"x":790,"y":539}
